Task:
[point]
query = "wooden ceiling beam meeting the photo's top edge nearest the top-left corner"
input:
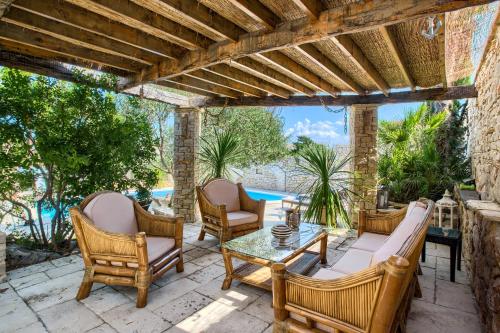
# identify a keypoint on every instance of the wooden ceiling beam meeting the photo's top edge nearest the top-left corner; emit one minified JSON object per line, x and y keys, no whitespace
{"x":89,"y":21}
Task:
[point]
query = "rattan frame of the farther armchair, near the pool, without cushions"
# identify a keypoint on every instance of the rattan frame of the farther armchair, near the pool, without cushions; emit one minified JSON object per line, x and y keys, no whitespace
{"x":214,"y":217}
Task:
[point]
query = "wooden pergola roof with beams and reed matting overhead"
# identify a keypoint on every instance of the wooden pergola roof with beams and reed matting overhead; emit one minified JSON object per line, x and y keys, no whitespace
{"x":242,"y":52}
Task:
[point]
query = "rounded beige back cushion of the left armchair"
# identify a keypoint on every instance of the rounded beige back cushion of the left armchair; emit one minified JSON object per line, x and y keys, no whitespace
{"x":112,"y":212}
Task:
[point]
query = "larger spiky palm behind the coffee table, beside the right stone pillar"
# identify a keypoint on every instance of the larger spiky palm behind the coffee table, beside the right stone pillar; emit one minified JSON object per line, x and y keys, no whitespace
{"x":329,"y":191}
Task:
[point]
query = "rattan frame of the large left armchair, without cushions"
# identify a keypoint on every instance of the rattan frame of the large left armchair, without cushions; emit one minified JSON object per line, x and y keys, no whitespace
{"x":121,"y":259}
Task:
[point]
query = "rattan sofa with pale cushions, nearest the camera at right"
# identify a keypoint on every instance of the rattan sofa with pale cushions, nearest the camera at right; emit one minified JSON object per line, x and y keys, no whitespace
{"x":368,"y":290}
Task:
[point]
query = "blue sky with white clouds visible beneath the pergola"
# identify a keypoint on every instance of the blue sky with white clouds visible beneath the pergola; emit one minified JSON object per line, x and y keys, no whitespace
{"x":327,"y":127}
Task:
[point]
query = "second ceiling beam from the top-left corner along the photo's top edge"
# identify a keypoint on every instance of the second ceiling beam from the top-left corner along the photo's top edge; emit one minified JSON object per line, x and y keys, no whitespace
{"x":143,"y":19}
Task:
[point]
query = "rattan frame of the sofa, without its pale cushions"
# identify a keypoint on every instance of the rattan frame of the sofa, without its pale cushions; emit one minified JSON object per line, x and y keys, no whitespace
{"x":376,"y":299}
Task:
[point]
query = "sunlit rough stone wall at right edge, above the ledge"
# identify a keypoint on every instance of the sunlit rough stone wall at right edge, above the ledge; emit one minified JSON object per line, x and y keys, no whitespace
{"x":484,"y":124}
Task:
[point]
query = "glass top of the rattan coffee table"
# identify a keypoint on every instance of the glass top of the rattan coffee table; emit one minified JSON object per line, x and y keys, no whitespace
{"x":261,"y":244}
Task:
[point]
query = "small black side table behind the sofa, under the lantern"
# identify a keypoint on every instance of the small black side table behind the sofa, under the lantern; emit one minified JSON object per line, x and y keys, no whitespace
{"x":450,"y":237}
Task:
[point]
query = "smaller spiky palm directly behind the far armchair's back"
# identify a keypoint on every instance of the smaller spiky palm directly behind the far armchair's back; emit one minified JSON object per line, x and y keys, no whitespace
{"x":217,"y":153}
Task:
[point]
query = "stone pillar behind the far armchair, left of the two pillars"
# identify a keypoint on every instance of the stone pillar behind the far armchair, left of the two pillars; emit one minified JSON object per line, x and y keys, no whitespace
{"x":186,"y":144}
